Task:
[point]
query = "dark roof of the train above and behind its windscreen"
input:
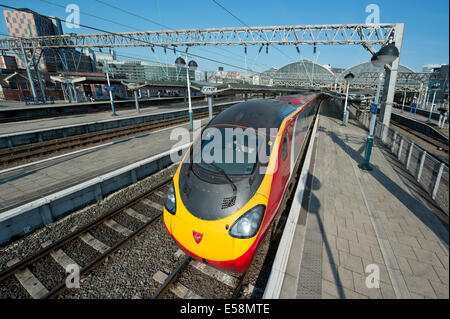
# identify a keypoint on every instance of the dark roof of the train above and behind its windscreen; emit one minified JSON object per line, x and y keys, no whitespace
{"x":256,"y":114}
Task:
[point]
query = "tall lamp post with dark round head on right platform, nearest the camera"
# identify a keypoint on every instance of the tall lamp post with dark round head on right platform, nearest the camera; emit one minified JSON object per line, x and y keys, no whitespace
{"x":385,"y":55}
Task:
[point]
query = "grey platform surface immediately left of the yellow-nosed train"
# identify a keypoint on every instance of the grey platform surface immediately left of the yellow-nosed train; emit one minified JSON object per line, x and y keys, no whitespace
{"x":26,"y":183}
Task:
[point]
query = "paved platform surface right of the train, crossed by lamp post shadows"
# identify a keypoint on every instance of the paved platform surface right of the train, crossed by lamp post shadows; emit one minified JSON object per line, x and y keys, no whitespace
{"x":352,"y":219}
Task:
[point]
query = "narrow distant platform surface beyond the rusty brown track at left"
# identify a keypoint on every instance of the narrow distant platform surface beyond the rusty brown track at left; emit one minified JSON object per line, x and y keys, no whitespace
{"x":78,"y":119}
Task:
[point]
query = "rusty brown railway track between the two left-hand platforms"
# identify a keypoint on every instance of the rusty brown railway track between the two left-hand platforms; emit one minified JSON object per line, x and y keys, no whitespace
{"x":22,"y":154}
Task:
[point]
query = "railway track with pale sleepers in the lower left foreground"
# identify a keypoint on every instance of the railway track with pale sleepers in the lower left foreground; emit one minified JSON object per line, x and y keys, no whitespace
{"x":85,"y":248}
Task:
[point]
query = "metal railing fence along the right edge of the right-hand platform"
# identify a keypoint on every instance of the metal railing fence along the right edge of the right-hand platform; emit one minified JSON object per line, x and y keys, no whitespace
{"x":431,"y":173}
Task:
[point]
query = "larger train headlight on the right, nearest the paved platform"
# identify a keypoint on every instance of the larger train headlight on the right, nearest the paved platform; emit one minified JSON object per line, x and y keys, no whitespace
{"x":248,"y":224}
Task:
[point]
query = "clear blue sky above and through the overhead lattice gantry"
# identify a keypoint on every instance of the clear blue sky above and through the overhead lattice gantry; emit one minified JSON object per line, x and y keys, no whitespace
{"x":426,"y":38}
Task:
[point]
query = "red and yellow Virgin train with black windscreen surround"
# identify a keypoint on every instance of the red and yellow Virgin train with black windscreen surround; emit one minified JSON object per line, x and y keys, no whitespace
{"x":227,"y":190}
